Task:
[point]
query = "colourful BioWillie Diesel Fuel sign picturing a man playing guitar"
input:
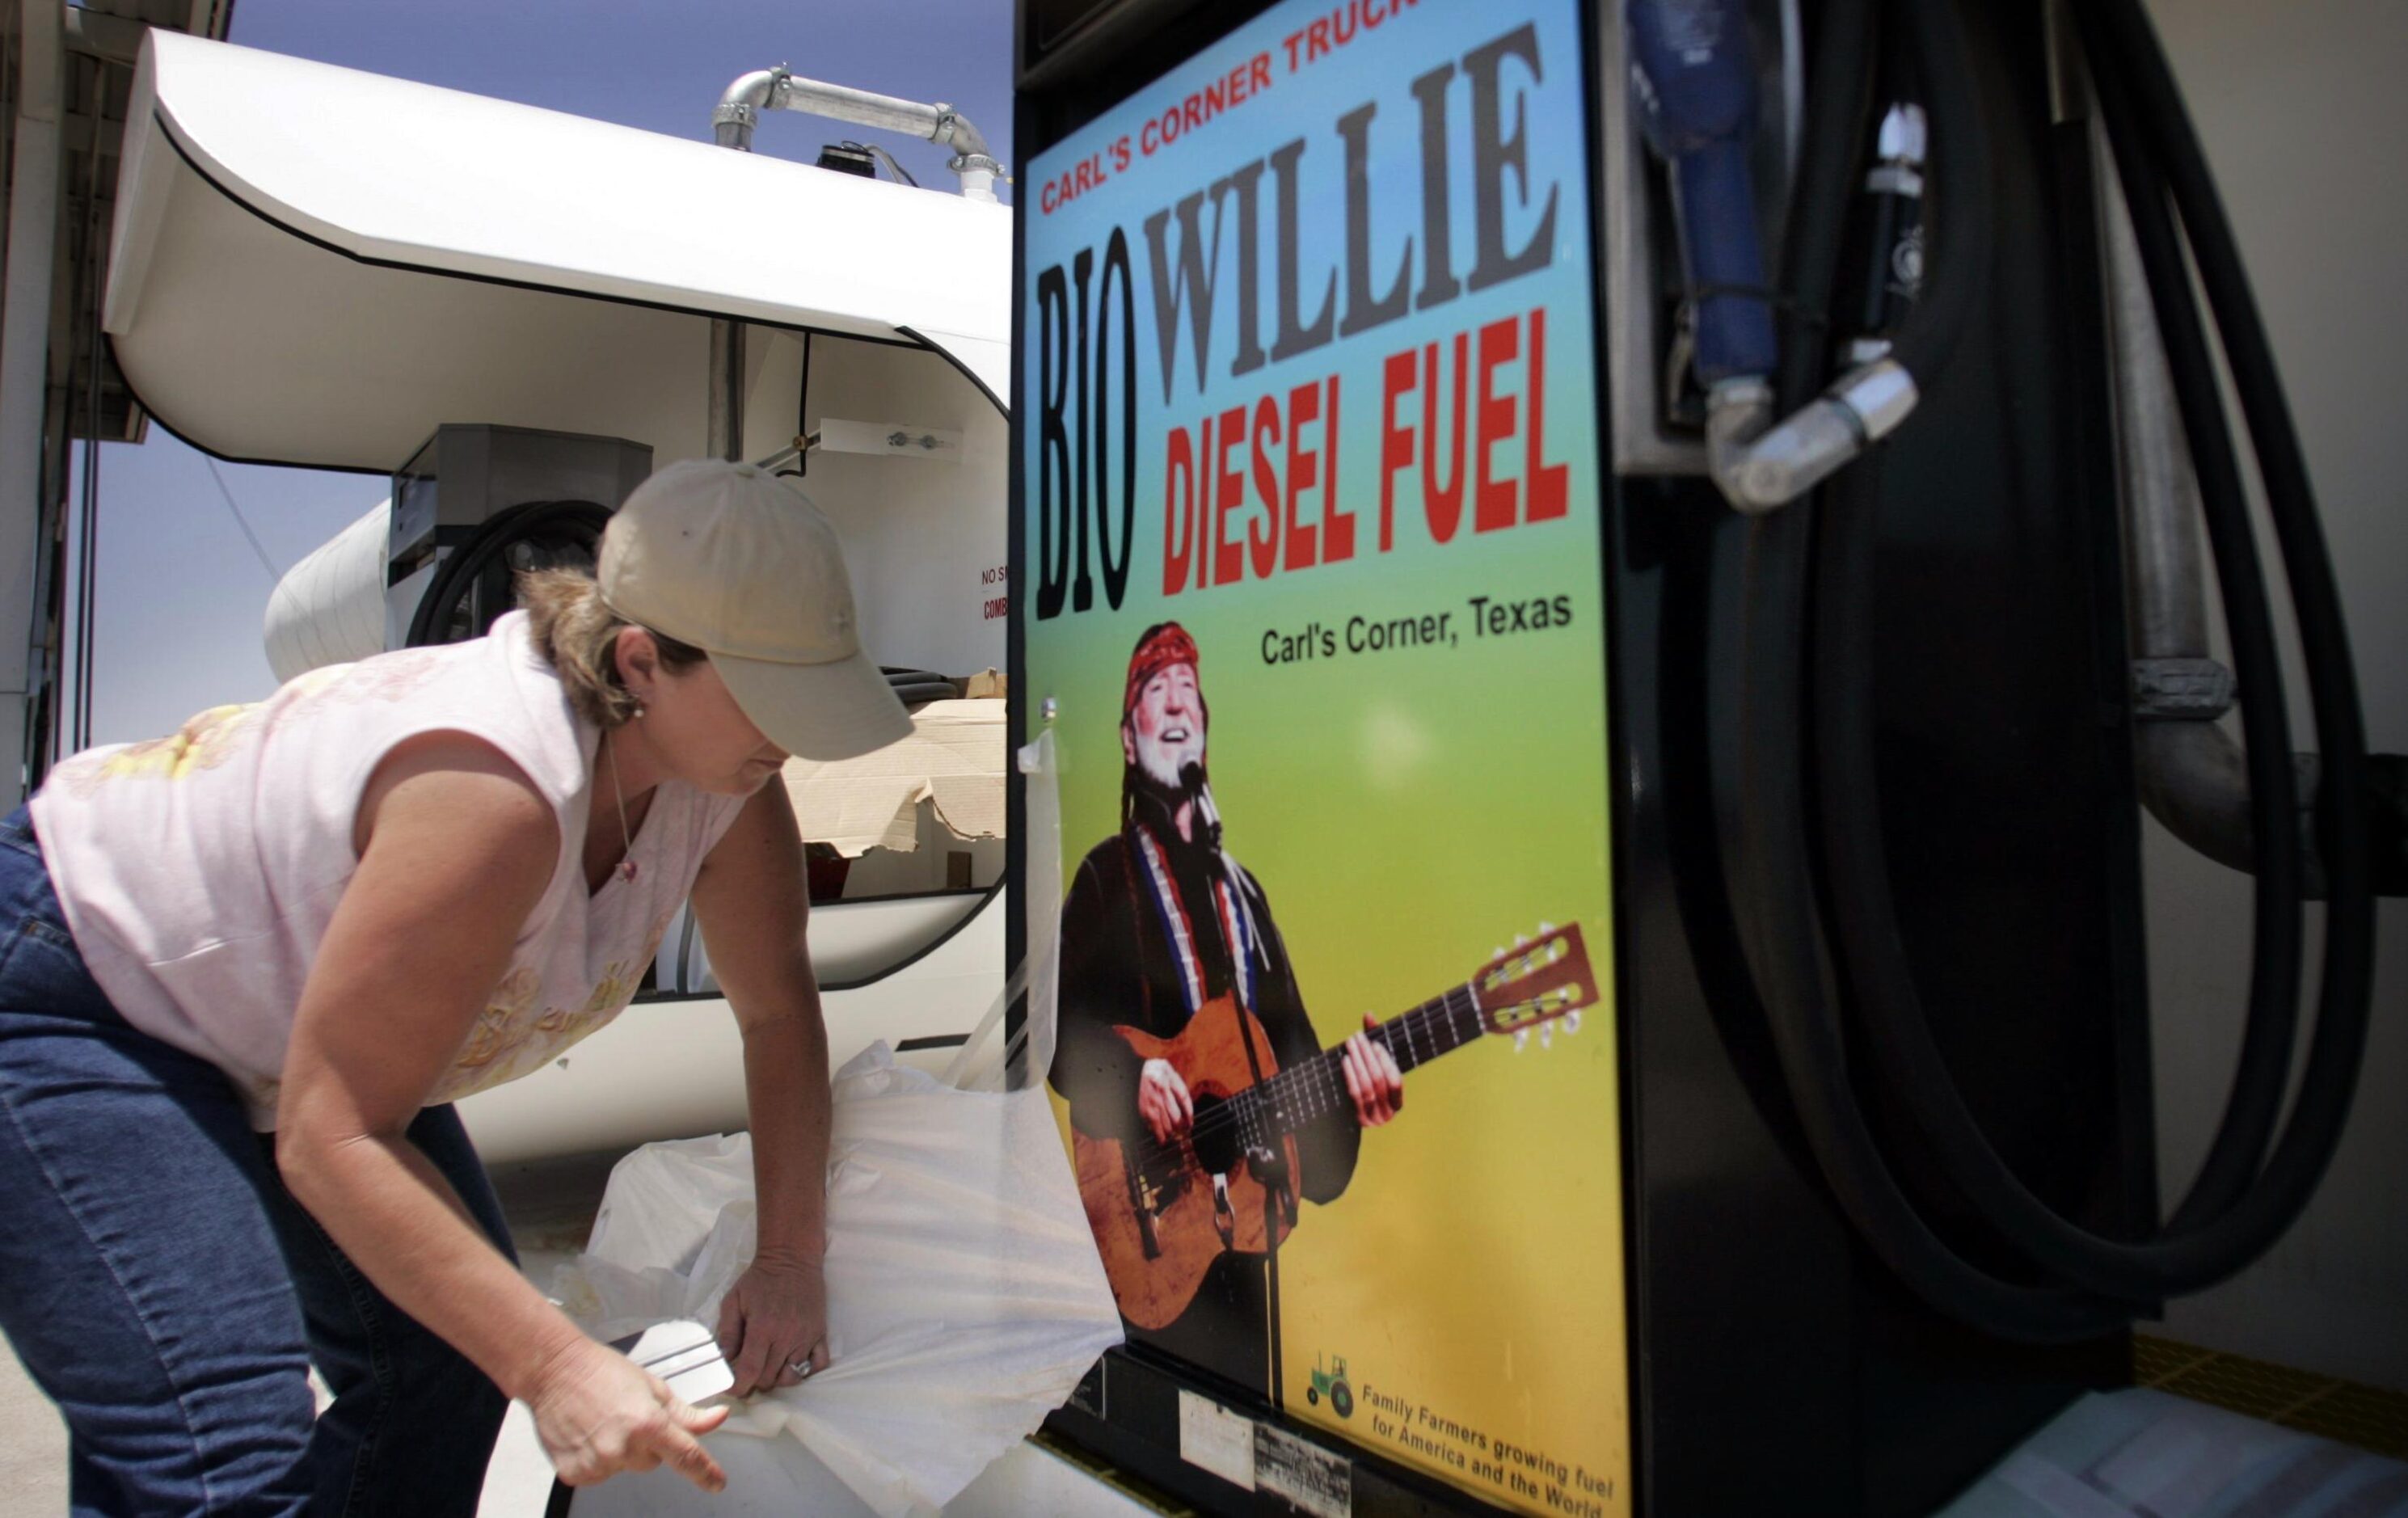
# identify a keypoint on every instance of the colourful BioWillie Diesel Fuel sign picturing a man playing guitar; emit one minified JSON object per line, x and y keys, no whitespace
{"x":1311,"y":582}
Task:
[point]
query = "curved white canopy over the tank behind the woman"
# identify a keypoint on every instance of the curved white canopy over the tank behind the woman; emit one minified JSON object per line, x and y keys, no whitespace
{"x":319,"y":266}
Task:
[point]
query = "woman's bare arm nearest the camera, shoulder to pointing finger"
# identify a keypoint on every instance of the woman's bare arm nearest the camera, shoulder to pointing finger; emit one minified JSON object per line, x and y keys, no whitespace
{"x":456,"y":852}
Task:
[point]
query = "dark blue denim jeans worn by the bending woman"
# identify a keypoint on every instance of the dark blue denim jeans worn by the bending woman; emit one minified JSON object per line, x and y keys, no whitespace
{"x":170,"y":1295}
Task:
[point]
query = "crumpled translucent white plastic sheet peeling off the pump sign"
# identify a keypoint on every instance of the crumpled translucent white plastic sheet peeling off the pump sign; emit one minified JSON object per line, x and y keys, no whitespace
{"x":964,"y":1288}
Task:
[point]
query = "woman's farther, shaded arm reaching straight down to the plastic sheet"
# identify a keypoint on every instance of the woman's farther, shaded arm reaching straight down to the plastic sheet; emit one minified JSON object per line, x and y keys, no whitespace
{"x":755,"y":905}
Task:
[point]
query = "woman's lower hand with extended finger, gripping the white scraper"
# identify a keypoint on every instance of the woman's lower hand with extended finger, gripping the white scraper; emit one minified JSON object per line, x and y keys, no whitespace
{"x":601,"y":1413}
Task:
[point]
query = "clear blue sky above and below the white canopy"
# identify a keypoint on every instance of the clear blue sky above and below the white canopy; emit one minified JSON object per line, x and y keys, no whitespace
{"x":182,"y":592}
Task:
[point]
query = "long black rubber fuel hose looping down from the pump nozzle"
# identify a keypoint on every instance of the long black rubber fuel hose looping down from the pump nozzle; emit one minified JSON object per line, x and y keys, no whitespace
{"x":2072,"y":1283}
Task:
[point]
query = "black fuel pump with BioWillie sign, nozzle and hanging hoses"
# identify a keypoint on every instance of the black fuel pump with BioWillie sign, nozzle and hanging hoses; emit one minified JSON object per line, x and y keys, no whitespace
{"x":1670,"y":471}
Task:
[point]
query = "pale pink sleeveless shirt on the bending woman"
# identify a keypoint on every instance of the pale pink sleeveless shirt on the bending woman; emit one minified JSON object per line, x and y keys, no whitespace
{"x":199,"y":873}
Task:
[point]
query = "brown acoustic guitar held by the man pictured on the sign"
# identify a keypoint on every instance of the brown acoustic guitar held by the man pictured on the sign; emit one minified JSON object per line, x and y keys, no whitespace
{"x":1164,"y":1213}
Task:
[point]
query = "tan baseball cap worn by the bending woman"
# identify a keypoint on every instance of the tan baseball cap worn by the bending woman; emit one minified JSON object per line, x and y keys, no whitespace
{"x":731,"y":560}
